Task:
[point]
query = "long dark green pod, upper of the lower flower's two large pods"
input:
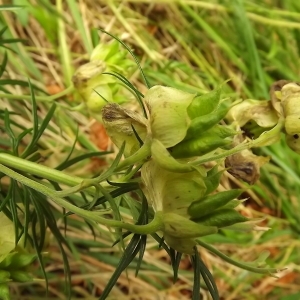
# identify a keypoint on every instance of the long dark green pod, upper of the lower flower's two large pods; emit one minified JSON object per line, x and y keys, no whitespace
{"x":210,"y":203}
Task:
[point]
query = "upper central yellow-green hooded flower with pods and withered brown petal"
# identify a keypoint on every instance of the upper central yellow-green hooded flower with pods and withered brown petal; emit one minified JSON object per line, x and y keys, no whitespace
{"x":172,"y":126}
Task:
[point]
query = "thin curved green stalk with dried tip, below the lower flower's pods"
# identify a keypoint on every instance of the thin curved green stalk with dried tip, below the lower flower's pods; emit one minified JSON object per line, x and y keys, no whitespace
{"x":236,"y":263}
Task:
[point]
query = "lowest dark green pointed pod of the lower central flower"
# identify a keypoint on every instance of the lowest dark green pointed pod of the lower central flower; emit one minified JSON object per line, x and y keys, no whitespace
{"x":221,"y":218}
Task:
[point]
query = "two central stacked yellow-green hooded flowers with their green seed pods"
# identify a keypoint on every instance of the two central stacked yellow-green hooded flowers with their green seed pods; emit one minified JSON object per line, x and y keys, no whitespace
{"x":178,"y":127}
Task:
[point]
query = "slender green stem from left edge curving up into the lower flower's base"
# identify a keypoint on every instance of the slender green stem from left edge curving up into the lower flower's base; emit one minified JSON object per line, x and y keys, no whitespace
{"x":155,"y":225}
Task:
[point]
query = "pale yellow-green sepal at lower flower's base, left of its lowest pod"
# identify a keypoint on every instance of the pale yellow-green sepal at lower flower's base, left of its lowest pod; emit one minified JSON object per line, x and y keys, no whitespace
{"x":181,"y":227}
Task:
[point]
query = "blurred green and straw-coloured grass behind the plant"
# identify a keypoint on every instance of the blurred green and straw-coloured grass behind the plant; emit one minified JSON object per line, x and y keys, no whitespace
{"x":191,"y":45}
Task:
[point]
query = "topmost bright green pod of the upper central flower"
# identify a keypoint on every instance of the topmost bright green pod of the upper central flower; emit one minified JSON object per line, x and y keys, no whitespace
{"x":204,"y":104}
